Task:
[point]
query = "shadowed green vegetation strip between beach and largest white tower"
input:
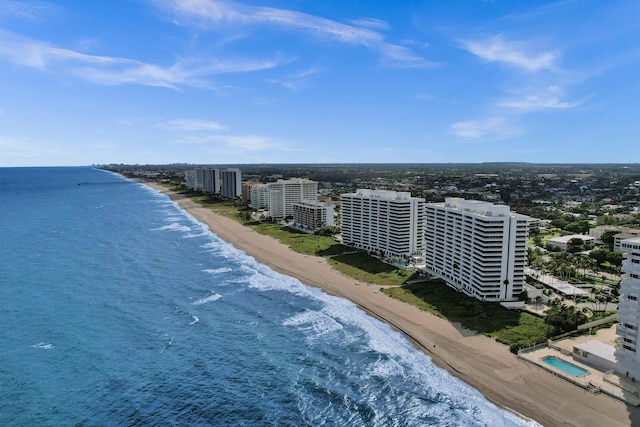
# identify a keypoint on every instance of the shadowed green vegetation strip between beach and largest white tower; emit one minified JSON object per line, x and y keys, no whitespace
{"x":514,"y":328}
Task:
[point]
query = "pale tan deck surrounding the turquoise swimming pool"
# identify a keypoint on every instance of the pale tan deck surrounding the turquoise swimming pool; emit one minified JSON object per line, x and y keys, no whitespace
{"x":596,"y":380}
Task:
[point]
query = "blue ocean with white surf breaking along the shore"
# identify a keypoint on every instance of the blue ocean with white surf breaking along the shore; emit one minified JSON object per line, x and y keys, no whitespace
{"x":120,"y":309}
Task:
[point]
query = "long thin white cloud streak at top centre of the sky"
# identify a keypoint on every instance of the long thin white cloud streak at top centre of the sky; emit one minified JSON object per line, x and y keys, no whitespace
{"x":217,"y":13}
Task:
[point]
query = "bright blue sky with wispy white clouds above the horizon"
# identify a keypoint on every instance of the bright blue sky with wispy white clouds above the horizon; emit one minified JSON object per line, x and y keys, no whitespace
{"x":334,"y":81}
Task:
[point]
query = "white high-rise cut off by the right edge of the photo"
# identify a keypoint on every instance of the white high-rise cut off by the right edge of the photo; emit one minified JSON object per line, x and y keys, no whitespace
{"x":628,"y":329}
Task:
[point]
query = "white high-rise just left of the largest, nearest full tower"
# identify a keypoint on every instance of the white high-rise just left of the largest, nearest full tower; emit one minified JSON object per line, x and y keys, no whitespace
{"x":388,"y":223}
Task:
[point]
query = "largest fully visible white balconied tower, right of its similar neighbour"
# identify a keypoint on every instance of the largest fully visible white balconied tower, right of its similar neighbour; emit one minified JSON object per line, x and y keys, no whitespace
{"x":477,"y":247}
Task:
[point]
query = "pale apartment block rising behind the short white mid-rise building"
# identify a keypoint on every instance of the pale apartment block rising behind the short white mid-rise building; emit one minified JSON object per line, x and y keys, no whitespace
{"x":284,"y":193}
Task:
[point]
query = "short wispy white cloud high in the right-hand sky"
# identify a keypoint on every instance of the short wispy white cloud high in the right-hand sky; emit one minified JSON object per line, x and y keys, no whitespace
{"x":517,"y":54}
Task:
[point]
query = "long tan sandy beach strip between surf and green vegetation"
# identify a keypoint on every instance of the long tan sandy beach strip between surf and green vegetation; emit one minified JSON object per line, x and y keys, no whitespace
{"x":477,"y":360}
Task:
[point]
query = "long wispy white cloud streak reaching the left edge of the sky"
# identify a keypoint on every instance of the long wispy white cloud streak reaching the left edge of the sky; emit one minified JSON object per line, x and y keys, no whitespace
{"x":107,"y":70}
